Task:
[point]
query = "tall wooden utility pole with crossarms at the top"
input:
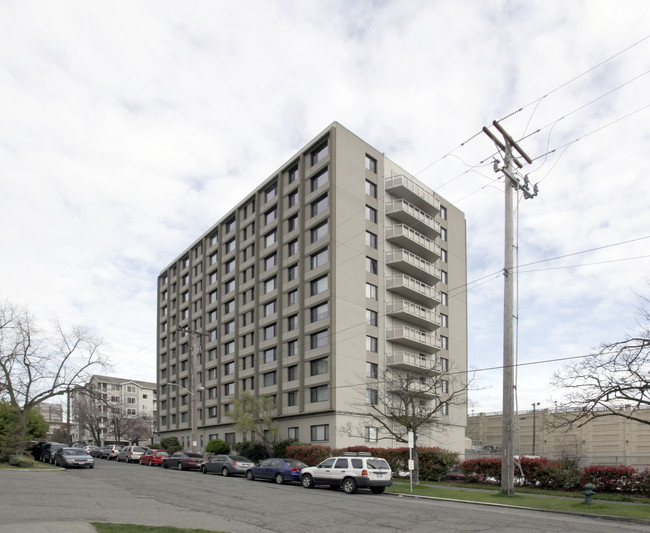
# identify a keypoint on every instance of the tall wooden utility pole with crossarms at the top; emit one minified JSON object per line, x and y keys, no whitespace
{"x":512,"y":182}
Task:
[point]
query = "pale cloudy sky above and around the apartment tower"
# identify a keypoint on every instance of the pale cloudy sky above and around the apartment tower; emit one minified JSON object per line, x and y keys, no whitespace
{"x":127,"y":128}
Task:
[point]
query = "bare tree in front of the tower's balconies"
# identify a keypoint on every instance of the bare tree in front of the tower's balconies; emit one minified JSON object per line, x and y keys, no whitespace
{"x":403,"y":401}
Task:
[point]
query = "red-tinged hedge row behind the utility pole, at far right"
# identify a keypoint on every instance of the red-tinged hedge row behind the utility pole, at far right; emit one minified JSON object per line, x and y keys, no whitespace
{"x":555,"y":475}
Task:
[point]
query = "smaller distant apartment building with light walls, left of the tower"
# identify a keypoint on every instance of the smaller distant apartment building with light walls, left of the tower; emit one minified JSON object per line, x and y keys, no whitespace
{"x":107,"y":399}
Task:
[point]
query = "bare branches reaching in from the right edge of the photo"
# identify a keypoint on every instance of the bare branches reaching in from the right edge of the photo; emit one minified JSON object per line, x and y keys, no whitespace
{"x":612,"y":382}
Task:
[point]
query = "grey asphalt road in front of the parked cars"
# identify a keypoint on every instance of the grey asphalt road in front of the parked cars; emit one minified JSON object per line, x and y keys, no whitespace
{"x":130,"y":493}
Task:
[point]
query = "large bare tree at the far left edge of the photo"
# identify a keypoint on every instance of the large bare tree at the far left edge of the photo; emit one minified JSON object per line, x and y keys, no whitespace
{"x":38,"y":365}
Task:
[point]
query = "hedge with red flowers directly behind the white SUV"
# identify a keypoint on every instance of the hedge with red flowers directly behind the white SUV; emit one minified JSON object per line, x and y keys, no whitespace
{"x":433,"y":462}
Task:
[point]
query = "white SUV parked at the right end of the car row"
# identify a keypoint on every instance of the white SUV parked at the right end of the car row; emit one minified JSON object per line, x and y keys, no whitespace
{"x":351,"y":471}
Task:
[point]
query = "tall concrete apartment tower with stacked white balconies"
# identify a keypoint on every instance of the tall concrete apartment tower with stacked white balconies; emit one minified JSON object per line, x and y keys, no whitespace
{"x":334,"y":271}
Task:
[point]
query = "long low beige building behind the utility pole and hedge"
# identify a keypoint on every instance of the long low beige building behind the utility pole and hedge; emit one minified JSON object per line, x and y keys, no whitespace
{"x":610,"y":440}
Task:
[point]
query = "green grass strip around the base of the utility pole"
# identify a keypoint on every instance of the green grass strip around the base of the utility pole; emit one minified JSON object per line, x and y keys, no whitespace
{"x":525,"y":499}
